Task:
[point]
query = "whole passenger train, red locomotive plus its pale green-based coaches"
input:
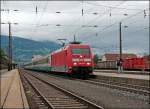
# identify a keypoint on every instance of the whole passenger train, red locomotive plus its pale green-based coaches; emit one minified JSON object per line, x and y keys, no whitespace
{"x":72,"y":59}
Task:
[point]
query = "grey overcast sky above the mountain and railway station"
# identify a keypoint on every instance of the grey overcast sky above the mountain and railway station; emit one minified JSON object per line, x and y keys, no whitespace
{"x":98,"y":26}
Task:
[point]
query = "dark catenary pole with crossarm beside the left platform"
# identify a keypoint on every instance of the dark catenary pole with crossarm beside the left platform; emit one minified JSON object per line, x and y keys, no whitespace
{"x":10,"y":46}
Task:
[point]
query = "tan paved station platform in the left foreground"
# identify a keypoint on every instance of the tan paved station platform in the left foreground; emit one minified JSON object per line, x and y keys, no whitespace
{"x":12,"y":92}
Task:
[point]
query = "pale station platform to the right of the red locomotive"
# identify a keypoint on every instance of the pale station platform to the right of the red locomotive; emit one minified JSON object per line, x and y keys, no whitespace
{"x":135,"y":79}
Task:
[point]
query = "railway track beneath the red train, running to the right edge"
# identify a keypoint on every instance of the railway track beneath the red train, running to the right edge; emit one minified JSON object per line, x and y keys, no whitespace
{"x":116,"y":85}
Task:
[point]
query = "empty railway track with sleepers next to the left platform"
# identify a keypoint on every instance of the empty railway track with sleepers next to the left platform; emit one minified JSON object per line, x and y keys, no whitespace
{"x":51,"y":96}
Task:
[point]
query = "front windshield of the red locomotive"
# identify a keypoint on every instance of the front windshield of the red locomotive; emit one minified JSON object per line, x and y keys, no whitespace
{"x":85,"y":51}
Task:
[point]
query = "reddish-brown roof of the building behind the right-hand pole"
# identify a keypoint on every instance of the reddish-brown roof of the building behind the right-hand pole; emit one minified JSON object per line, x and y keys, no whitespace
{"x":114,"y":56}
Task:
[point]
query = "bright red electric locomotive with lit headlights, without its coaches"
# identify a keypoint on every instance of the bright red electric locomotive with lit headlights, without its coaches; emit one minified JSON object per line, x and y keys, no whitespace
{"x":73,"y":59}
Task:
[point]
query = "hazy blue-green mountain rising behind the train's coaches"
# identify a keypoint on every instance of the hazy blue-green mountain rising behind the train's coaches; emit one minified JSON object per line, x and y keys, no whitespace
{"x":24,"y":49}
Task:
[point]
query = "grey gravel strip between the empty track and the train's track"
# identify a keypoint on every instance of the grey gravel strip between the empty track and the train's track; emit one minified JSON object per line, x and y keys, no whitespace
{"x":102,"y":95}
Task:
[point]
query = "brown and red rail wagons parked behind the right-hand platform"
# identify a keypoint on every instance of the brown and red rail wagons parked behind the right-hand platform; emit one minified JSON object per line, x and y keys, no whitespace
{"x":138,"y":63}
